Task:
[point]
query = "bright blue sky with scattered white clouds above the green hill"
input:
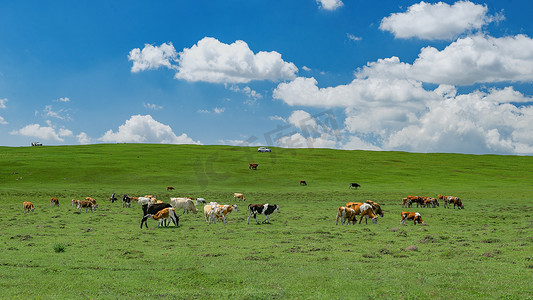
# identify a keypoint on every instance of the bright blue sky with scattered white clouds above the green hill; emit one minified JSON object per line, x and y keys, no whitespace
{"x":451,"y":76}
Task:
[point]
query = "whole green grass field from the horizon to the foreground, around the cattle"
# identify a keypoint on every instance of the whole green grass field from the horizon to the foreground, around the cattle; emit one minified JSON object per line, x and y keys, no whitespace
{"x":484,"y":251}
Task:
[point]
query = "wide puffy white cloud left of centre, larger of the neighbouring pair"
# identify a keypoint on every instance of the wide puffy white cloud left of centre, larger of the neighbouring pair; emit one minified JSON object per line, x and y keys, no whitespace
{"x":212,"y":61}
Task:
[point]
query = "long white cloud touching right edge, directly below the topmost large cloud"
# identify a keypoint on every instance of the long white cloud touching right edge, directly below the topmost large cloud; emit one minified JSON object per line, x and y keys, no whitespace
{"x":469,"y":60}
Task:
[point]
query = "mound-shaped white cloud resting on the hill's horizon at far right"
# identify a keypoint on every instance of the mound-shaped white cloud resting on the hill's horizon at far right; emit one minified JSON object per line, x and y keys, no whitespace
{"x":478,"y":122}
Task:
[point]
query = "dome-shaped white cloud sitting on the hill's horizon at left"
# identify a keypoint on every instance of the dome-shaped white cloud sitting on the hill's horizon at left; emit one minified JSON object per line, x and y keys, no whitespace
{"x":144,"y":129}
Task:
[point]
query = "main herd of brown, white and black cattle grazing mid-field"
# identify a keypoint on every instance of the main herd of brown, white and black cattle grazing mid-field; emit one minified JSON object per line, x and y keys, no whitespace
{"x":165,"y":213}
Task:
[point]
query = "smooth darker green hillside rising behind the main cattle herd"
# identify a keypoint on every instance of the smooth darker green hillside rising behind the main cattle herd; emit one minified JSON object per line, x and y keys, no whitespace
{"x":225,"y":168}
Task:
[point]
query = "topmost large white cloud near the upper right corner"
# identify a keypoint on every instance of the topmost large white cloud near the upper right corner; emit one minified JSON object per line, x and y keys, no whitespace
{"x":439,"y":21}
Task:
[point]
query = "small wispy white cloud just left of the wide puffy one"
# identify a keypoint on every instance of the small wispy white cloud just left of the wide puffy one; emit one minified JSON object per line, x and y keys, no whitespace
{"x":152,"y":57}
